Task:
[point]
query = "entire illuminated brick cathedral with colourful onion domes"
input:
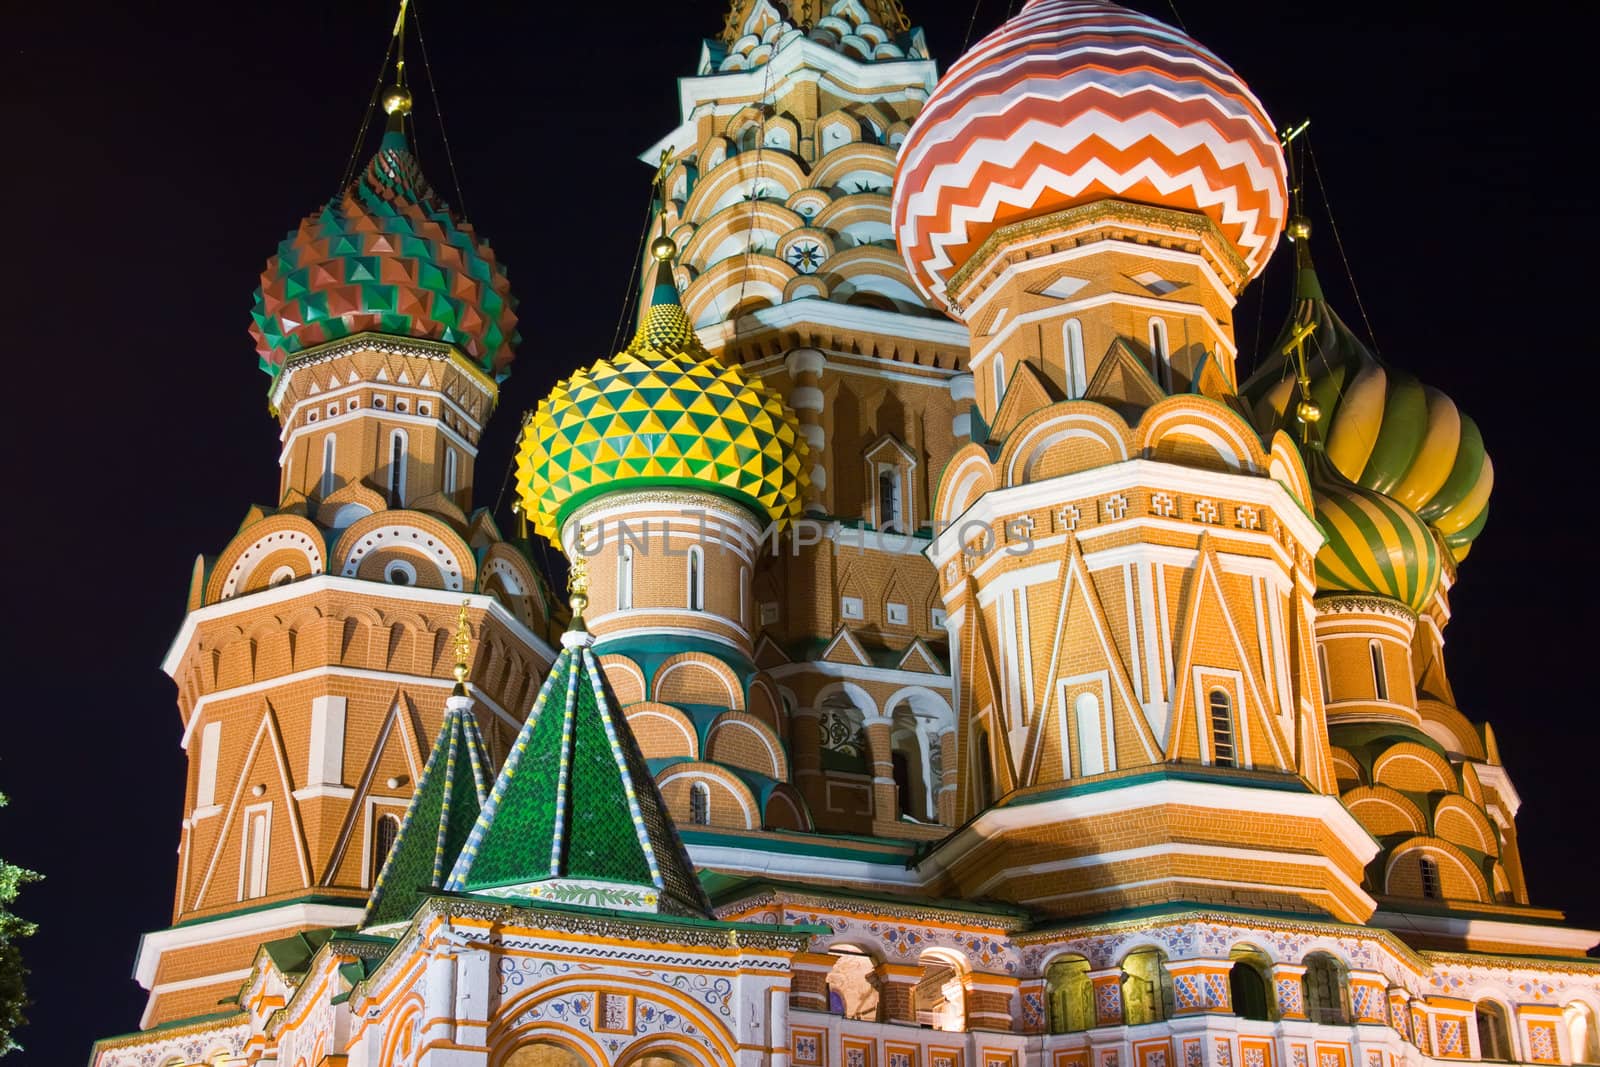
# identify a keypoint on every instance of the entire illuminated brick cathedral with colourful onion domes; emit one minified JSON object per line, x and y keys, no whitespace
{"x":964,"y":666}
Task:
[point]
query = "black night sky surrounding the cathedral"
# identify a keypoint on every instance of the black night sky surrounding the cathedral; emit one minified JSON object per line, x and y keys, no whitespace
{"x":156,"y":154}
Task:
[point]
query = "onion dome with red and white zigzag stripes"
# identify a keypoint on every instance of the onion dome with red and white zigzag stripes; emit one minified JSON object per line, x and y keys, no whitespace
{"x":1074,"y":102}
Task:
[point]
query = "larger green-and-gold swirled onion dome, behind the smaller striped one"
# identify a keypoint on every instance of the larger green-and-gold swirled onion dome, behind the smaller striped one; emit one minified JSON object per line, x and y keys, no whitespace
{"x":1382,"y":428}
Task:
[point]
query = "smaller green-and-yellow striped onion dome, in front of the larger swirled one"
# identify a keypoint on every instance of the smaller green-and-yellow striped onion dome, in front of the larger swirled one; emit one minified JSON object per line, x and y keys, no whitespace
{"x":1375,"y":545}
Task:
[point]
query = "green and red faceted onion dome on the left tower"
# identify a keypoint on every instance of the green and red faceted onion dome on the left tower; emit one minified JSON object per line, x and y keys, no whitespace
{"x":386,"y":257}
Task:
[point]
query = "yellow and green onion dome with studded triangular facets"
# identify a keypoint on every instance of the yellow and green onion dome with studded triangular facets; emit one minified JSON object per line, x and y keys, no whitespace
{"x":662,"y":414}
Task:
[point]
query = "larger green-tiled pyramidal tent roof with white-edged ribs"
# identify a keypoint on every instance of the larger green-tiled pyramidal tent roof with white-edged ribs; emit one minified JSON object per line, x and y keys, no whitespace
{"x":575,"y":817}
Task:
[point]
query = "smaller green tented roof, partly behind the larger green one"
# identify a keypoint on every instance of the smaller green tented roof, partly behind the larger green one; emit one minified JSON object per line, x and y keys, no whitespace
{"x":446,"y":807}
